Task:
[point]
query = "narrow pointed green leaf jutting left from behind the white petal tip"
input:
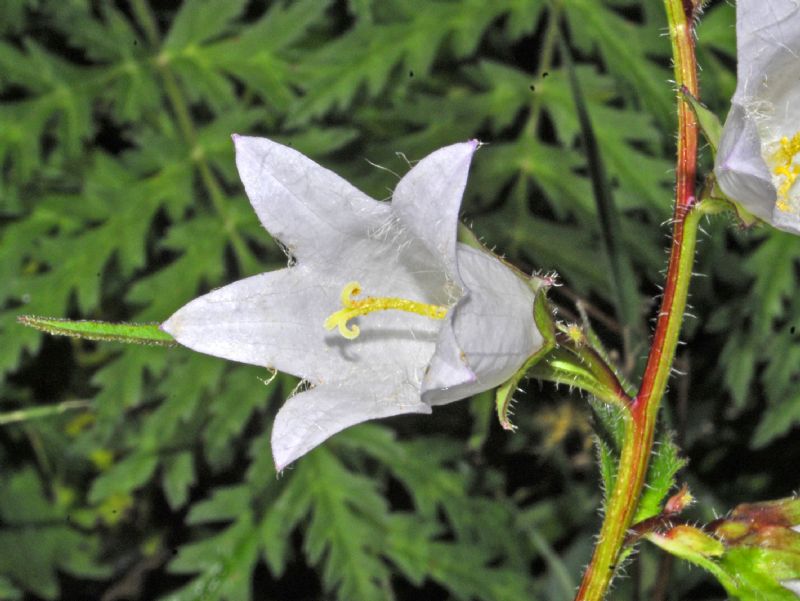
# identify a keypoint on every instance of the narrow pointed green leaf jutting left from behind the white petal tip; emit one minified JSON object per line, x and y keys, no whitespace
{"x":137,"y":333}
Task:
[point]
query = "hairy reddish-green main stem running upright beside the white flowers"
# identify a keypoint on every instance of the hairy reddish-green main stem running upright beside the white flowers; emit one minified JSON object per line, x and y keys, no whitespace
{"x":640,"y":423}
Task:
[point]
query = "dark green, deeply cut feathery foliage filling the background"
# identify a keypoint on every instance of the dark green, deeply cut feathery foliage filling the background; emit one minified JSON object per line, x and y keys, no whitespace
{"x":119,"y":200}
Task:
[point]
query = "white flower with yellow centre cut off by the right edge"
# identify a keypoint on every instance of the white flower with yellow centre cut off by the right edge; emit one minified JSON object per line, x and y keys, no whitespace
{"x":758,"y":161}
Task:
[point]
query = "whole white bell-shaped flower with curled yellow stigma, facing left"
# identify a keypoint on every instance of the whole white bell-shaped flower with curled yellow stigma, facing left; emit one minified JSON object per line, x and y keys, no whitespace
{"x":437,"y":321}
